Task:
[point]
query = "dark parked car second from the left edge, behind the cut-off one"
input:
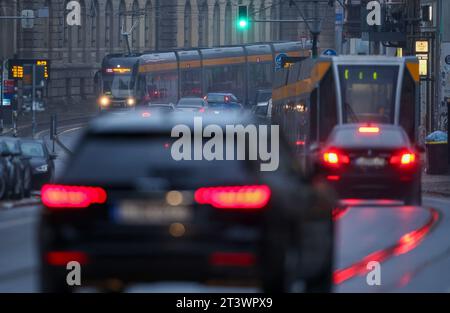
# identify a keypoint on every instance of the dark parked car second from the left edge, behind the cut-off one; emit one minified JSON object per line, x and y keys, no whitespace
{"x":22,"y":166}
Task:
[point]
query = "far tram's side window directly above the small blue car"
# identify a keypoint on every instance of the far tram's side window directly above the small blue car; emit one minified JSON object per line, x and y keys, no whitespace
{"x":225,"y":78}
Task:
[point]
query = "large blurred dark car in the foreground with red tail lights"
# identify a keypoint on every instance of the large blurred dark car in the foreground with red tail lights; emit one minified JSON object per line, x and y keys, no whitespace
{"x":127,"y":210}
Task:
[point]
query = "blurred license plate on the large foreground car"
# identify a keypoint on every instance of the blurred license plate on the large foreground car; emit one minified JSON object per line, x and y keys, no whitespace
{"x":150,"y":212}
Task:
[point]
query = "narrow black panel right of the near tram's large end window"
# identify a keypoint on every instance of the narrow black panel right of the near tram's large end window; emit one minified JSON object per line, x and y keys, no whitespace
{"x":408,"y":106}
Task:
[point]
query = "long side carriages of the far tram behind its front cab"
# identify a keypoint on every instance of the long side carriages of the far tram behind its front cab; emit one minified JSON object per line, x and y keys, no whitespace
{"x":242,"y":70}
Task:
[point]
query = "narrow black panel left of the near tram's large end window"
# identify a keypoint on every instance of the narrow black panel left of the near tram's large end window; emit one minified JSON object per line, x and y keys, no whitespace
{"x":327,"y":106}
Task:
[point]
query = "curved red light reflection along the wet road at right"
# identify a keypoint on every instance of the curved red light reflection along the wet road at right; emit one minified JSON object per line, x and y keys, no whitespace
{"x":405,"y":244}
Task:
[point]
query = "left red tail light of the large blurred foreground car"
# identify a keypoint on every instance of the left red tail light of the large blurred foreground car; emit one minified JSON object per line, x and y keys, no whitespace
{"x":62,"y":196}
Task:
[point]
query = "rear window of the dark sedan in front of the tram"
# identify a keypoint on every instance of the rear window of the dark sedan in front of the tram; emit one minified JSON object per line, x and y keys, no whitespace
{"x":386,"y":138}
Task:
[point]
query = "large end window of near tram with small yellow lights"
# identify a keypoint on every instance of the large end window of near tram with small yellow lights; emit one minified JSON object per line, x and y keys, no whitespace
{"x":368,"y":93}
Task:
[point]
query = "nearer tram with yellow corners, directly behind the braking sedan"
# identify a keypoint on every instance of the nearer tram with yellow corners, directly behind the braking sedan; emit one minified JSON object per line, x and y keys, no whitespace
{"x":312,"y":96}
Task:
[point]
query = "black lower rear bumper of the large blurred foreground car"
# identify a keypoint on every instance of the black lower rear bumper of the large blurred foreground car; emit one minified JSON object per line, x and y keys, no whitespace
{"x":162,"y":262}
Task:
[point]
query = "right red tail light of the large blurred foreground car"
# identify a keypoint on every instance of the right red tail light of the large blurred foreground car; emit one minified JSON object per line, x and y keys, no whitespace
{"x":234,"y":197}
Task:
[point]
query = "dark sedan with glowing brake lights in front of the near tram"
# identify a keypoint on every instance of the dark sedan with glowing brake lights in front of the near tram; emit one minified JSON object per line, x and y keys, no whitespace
{"x":371,"y":162}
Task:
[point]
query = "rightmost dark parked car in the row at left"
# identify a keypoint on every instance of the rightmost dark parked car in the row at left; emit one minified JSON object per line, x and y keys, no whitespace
{"x":41,"y":161}
